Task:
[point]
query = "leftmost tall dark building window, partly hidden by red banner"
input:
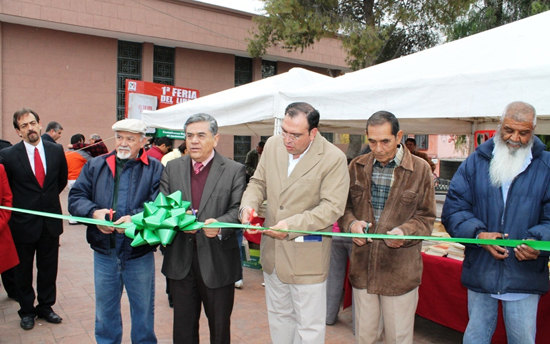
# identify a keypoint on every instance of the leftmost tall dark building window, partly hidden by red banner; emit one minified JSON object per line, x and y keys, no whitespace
{"x":128,"y":67}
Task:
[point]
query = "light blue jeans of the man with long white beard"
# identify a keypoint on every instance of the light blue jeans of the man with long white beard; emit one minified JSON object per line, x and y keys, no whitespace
{"x":520,"y":319}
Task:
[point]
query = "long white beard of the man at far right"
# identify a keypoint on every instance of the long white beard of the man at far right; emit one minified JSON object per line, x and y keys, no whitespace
{"x":507,"y":163}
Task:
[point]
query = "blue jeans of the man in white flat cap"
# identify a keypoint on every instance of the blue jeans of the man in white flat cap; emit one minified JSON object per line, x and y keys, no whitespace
{"x":111,"y":275}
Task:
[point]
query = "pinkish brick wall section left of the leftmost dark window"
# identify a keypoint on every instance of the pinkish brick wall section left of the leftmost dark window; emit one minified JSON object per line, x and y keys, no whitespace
{"x":65,"y":77}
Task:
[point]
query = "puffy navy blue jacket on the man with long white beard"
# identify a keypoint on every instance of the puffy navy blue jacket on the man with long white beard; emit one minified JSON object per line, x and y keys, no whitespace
{"x":473,"y":205}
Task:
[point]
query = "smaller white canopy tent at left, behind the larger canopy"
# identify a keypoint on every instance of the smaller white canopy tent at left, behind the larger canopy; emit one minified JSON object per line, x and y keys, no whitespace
{"x":245,"y":110}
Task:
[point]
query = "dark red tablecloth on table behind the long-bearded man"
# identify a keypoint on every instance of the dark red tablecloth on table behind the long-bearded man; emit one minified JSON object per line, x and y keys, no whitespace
{"x":444,"y":300}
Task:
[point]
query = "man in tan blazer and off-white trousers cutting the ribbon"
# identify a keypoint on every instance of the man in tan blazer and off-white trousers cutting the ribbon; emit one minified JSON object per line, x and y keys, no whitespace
{"x":305,"y":181}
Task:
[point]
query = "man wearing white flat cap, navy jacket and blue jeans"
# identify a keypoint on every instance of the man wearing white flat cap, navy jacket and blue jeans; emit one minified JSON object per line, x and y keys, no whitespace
{"x":115,"y":186}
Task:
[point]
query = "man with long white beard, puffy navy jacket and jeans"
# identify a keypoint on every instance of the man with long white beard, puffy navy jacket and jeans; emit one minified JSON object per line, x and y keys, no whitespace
{"x":502,"y":191}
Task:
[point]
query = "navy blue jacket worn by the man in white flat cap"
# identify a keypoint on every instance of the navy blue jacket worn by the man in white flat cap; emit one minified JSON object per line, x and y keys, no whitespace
{"x":139,"y":183}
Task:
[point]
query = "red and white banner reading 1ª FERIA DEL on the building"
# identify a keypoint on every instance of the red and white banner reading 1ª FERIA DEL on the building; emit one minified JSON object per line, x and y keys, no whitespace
{"x":149,"y":93}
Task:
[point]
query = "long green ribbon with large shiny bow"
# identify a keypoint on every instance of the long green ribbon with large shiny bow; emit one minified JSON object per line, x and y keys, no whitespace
{"x":166,"y":215}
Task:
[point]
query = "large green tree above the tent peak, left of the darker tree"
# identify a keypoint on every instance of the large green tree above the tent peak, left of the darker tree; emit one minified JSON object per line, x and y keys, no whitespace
{"x":371,"y":31}
